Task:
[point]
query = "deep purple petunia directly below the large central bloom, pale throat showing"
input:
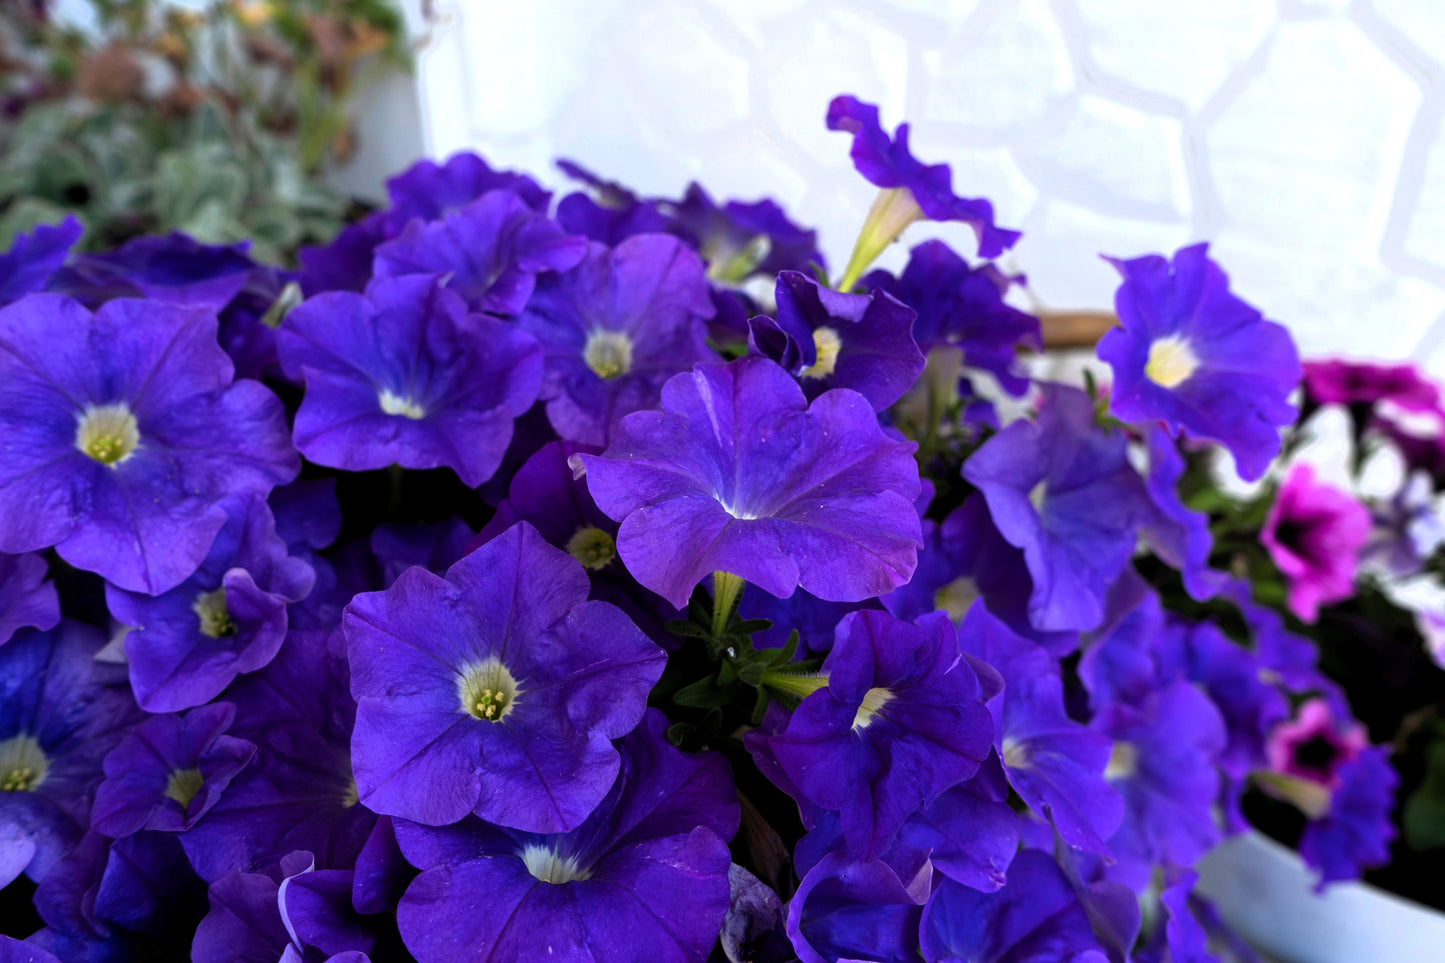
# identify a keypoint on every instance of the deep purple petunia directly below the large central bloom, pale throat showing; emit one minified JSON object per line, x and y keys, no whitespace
{"x":898,"y":724}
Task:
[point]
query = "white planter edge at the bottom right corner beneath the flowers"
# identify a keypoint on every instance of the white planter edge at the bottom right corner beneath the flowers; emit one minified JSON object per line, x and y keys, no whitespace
{"x":1268,"y":896}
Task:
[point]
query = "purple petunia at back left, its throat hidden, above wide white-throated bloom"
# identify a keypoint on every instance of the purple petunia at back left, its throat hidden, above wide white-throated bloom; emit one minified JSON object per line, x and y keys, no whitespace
{"x":492,"y":252}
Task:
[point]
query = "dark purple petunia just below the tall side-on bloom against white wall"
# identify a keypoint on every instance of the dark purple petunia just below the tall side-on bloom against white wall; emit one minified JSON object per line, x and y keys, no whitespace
{"x":965,"y":307}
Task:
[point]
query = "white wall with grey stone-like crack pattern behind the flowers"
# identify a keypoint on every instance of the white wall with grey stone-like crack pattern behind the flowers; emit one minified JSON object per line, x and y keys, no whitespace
{"x":1301,"y":137}
